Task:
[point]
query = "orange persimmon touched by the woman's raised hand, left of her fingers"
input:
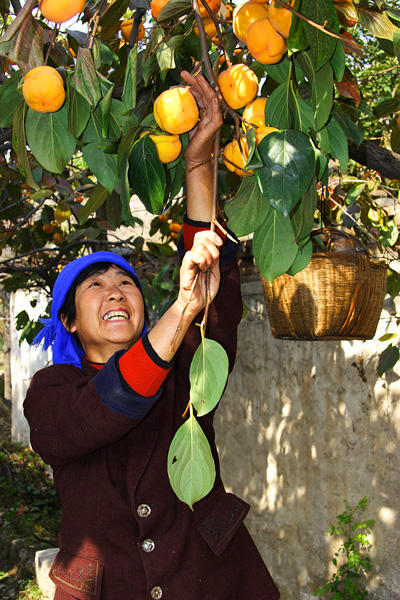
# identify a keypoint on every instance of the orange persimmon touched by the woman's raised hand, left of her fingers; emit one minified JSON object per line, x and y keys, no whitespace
{"x":175,"y":110}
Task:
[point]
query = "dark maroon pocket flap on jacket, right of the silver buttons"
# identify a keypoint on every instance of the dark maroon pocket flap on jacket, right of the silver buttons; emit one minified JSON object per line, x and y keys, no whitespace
{"x":219,"y":523}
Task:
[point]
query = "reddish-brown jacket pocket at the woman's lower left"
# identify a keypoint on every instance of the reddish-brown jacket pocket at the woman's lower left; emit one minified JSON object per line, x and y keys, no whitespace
{"x":78,"y":575}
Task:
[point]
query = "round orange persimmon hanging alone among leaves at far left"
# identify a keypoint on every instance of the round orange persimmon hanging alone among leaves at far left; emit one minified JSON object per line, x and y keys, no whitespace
{"x":43,"y":89}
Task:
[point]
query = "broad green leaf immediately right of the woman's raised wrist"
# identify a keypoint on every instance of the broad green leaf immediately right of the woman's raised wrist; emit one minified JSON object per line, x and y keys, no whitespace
{"x":248,"y":209}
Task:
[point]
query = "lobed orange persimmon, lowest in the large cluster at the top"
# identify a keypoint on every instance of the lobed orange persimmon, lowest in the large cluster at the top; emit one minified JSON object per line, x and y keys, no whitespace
{"x":264,"y":43}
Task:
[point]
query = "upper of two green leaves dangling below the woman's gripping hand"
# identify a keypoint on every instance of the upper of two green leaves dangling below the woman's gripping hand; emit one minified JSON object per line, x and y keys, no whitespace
{"x":208,"y":375}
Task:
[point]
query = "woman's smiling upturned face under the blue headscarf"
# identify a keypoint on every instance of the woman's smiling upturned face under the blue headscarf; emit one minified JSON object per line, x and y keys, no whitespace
{"x":109,"y":314}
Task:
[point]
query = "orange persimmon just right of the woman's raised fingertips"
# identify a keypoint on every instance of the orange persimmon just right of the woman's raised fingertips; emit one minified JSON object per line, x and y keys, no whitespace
{"x":238,"y":85}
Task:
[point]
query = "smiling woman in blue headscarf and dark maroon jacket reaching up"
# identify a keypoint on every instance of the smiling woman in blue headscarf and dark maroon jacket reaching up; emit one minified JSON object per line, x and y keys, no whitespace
{"x":104,"y":415}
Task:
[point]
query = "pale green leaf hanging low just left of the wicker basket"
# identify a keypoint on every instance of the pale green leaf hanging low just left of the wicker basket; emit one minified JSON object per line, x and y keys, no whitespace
{"x":274,"y":246}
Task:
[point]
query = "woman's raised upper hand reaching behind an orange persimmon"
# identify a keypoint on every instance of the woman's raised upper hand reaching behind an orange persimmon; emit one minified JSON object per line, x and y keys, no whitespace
{"x":200,"y":145}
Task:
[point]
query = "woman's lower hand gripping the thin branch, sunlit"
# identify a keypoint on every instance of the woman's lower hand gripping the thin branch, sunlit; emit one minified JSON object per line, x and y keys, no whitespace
{"x":203,"y":256}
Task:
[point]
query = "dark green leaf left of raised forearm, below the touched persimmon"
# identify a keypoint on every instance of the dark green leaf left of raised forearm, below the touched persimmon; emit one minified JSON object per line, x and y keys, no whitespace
{"x":146,"y":175}
